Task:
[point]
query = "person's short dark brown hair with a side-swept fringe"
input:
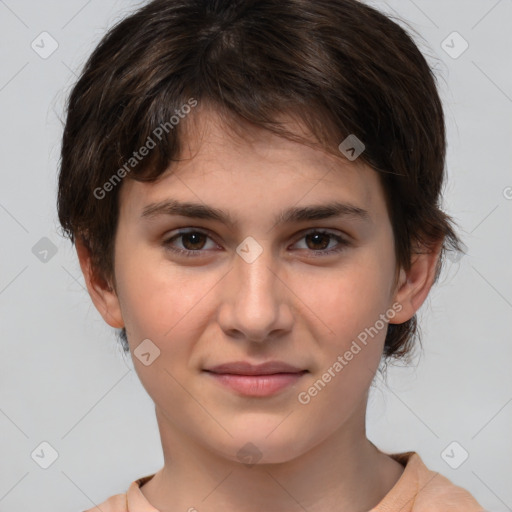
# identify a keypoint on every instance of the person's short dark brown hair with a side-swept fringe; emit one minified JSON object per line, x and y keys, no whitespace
{"x":339,"y":66}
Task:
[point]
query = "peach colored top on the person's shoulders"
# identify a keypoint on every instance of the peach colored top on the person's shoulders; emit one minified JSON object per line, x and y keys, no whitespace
{"x":417,"y":490}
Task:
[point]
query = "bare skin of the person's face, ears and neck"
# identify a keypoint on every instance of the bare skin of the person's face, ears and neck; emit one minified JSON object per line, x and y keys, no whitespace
{"x":287,"y":305}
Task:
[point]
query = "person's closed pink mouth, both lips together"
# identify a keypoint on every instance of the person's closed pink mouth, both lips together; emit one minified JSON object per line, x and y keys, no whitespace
{"x":256,"y":380}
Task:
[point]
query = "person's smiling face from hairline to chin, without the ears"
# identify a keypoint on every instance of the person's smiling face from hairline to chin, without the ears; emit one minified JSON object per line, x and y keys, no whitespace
{"x":256,"y":284}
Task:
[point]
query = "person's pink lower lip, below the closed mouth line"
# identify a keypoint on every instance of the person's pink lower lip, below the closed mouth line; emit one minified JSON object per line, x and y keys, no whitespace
{"x":257,"y":385}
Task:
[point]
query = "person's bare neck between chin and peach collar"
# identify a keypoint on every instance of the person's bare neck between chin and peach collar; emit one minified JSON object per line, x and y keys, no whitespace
{"x":344,"y":472}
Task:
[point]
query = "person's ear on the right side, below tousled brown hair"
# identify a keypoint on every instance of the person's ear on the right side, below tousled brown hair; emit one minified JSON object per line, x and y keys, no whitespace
{"x":414,"y":285}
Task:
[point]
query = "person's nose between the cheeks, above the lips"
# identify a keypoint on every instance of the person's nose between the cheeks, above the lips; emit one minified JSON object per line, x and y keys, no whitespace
{"x":255,"y":300}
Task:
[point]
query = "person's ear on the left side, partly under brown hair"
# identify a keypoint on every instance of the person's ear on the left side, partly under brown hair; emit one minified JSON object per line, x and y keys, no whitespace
{"x":102,"y":293}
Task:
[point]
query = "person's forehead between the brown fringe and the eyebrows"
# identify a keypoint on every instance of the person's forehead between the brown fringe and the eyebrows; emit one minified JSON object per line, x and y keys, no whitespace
{"x":242,"y":168}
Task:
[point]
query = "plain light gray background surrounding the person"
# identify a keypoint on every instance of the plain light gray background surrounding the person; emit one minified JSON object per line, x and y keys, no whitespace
{"x":64,"y":381}
